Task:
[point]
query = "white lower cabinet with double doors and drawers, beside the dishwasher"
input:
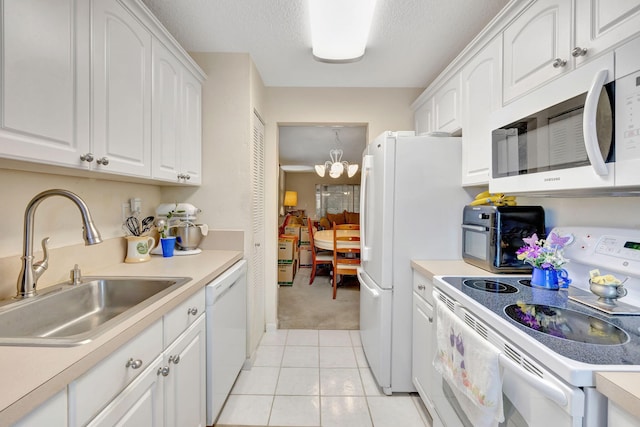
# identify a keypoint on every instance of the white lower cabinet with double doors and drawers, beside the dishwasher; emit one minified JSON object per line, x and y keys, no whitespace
{"x":156,"y":379}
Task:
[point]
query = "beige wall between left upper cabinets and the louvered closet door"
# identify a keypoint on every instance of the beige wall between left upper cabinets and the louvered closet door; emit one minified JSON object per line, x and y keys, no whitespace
{"x":230,"y":95}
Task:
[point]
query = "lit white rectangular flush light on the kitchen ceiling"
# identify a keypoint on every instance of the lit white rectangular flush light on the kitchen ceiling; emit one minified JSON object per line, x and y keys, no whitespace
{"x":339,"y":29}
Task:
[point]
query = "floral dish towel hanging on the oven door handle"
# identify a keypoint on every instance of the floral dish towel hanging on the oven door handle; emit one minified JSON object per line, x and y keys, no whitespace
{"x":470,"y":365}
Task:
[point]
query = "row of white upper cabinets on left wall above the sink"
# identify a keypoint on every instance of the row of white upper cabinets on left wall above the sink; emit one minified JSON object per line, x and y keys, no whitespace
{"x":77,"y":90}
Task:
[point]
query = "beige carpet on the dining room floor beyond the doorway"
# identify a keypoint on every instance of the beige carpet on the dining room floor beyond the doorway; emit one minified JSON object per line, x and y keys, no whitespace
{"x":311,"y":307}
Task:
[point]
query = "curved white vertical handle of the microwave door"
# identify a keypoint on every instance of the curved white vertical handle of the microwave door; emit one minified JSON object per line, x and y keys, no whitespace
{"x":589,"y":124}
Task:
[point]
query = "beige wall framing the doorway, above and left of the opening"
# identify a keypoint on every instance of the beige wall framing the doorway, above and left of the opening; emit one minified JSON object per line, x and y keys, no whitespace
{"x":381,"y":109}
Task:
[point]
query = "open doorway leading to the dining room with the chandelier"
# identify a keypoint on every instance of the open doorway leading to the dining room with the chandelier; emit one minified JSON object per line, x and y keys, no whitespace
{"x":301,"y":147}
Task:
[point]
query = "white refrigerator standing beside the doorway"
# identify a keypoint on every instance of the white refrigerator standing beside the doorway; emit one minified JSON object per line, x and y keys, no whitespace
{"x":411,"y":203}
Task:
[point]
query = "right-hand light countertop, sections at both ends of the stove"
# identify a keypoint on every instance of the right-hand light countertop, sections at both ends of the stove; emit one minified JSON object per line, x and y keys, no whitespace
{"x":623,"y":388}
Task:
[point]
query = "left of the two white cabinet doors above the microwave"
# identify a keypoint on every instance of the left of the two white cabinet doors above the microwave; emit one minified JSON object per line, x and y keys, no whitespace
{"x":537,"y":47}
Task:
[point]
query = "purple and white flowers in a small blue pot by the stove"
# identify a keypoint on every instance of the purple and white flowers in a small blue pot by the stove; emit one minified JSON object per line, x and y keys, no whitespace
{"x":546,"y":257}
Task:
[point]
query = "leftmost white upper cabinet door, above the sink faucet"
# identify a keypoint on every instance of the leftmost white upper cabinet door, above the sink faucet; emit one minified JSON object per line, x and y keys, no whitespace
{"x":44,"y":99}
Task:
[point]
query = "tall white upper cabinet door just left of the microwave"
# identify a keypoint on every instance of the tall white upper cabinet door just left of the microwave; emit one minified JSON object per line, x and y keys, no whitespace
{"x":481,"y":95}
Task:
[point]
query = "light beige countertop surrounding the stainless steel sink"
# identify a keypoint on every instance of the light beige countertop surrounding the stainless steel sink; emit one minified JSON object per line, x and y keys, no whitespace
{"x":30,"y":375}
